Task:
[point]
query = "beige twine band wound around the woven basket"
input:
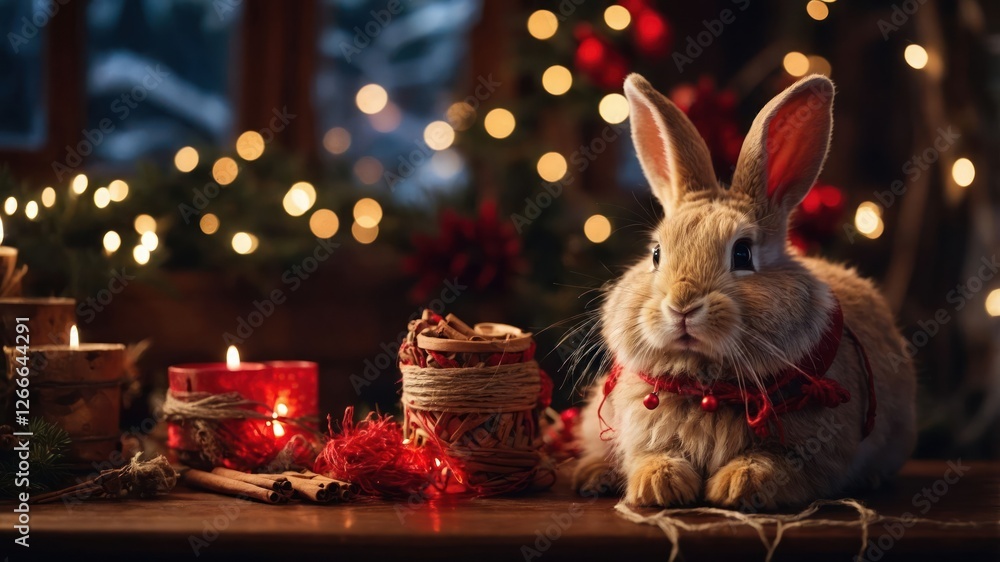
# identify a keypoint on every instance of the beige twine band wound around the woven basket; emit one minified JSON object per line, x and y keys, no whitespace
{"x":470,"y":390}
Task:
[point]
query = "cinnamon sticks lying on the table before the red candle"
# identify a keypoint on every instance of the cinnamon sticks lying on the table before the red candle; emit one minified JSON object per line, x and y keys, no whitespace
{"x":271,"y":488}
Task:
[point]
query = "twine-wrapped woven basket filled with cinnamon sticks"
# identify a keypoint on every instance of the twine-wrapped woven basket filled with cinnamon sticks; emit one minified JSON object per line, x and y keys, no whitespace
{"x":476,"y":394}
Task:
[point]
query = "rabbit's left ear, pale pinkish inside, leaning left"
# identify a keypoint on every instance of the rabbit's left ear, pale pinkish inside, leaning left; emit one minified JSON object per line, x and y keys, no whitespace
{"x":673,"y":155}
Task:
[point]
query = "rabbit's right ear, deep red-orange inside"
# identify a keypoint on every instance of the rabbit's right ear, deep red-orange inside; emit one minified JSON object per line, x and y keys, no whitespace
{"x":785,"y":149}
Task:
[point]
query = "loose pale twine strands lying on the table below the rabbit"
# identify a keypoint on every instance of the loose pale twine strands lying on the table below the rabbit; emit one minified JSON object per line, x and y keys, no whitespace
{"x":669,"y":521}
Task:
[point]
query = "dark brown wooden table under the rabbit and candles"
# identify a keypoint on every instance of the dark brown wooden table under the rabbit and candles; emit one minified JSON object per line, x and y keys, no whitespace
{"x":220,"y":528}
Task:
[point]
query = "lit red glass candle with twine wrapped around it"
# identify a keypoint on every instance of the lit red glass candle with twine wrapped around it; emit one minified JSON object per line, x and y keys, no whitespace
{"x":267,"y":405}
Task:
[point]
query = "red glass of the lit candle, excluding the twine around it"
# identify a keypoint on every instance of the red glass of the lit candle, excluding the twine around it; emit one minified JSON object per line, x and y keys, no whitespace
{"x":281,"y":393}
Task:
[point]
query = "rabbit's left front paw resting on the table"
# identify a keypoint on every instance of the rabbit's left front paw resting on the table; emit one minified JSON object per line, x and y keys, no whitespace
{"x":662,"y":481}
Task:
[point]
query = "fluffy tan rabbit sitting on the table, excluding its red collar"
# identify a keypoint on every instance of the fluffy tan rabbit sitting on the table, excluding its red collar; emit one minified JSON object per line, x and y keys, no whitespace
{"x":723,"y":299}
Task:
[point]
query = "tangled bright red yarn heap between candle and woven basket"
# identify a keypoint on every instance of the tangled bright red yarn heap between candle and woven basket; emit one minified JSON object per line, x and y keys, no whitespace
{"x":372,"y":455}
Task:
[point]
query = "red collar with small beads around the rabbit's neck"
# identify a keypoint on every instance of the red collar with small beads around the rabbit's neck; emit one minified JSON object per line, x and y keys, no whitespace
{"x":795,"y":388}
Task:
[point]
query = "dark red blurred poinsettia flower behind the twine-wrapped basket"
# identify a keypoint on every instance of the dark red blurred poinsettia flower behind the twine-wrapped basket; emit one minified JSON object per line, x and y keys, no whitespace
{"x":481,"y":253}
